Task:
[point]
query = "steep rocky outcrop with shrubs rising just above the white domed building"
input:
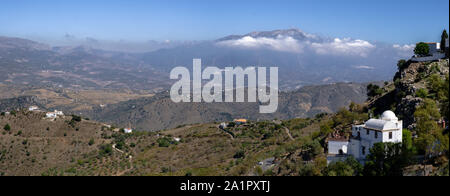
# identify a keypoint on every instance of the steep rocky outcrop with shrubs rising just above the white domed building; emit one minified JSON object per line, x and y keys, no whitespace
{"x":413,"y":83}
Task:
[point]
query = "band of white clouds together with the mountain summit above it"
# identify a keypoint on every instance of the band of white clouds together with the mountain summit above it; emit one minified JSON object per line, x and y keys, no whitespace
{"x":296,"y":41}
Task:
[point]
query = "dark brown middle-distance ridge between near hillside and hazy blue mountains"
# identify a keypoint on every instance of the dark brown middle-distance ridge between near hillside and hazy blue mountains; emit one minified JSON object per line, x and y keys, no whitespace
{"x":159,"y":112}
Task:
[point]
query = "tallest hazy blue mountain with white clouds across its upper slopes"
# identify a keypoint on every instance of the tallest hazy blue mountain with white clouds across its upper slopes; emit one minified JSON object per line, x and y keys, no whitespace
{"x":302,"y":58}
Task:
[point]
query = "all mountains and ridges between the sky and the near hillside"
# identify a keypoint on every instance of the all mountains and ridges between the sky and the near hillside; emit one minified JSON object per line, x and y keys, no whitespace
{"x":73,"y":77}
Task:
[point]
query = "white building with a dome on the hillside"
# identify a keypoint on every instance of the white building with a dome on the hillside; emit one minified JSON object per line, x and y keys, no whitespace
{"x":384,"y":130}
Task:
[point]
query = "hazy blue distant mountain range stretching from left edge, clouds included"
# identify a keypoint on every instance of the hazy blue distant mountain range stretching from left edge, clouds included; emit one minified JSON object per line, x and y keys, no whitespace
{"x":303,"y":59}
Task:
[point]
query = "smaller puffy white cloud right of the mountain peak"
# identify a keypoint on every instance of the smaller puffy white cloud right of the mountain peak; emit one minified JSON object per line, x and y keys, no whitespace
{"x":345,"y":46}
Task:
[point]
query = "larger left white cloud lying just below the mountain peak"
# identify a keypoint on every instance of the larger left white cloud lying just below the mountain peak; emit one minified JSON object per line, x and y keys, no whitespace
{"x":281,"y":43}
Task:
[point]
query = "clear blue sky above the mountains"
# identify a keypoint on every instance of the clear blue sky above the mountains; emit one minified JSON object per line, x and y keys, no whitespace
{"x":391,"y":21}
